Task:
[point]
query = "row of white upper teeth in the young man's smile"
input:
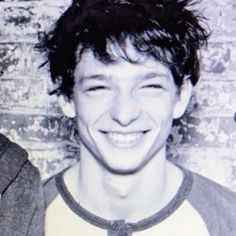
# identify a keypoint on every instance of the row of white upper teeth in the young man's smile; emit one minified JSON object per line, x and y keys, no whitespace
{"x":124,"y":138}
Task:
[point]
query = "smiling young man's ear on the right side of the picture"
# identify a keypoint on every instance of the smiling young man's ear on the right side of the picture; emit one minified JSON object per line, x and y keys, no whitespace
{"x":183,"y":98}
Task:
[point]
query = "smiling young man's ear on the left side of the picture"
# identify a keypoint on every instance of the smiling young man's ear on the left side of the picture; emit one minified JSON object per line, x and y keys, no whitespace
{"x":67,"y":105}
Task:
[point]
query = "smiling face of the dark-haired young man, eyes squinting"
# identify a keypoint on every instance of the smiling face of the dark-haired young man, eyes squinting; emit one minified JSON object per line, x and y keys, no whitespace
{"x":124,"y":110}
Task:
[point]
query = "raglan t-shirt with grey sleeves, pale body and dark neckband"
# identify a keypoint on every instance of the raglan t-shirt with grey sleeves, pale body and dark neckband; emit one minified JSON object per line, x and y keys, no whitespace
{"x":199,"y":208}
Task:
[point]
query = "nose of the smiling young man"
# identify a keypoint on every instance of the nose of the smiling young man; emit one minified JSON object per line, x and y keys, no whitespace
{"x":125,"y":110}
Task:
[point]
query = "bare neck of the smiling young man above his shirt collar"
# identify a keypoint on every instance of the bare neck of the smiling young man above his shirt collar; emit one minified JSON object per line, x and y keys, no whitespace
{"x":129,"y":197}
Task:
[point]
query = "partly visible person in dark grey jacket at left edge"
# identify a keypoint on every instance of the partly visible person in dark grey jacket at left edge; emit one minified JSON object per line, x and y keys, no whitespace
{"x":21,"y":194}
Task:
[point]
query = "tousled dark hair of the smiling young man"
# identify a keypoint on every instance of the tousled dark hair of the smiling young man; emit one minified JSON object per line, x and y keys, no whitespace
{"x":164,"y":29}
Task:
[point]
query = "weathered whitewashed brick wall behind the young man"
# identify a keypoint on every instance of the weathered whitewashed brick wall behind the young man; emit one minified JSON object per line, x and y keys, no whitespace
{"x":204,"y":140}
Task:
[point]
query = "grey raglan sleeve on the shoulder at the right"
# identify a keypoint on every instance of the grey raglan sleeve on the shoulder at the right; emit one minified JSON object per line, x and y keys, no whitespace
{"x":215,"y":203}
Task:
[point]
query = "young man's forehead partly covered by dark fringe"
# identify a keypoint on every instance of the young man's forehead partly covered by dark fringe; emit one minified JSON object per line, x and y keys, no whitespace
{"x":89,"y":65}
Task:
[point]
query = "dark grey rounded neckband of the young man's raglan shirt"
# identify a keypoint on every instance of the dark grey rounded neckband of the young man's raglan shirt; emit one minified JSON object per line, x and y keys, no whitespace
{"x":117,"y":225}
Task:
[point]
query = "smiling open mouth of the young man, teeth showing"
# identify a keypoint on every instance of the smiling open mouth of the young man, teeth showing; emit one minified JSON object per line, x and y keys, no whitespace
{"x":124,"y":140}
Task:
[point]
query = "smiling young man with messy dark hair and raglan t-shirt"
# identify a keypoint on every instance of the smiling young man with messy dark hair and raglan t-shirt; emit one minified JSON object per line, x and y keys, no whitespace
{"x":125,"y":69}
